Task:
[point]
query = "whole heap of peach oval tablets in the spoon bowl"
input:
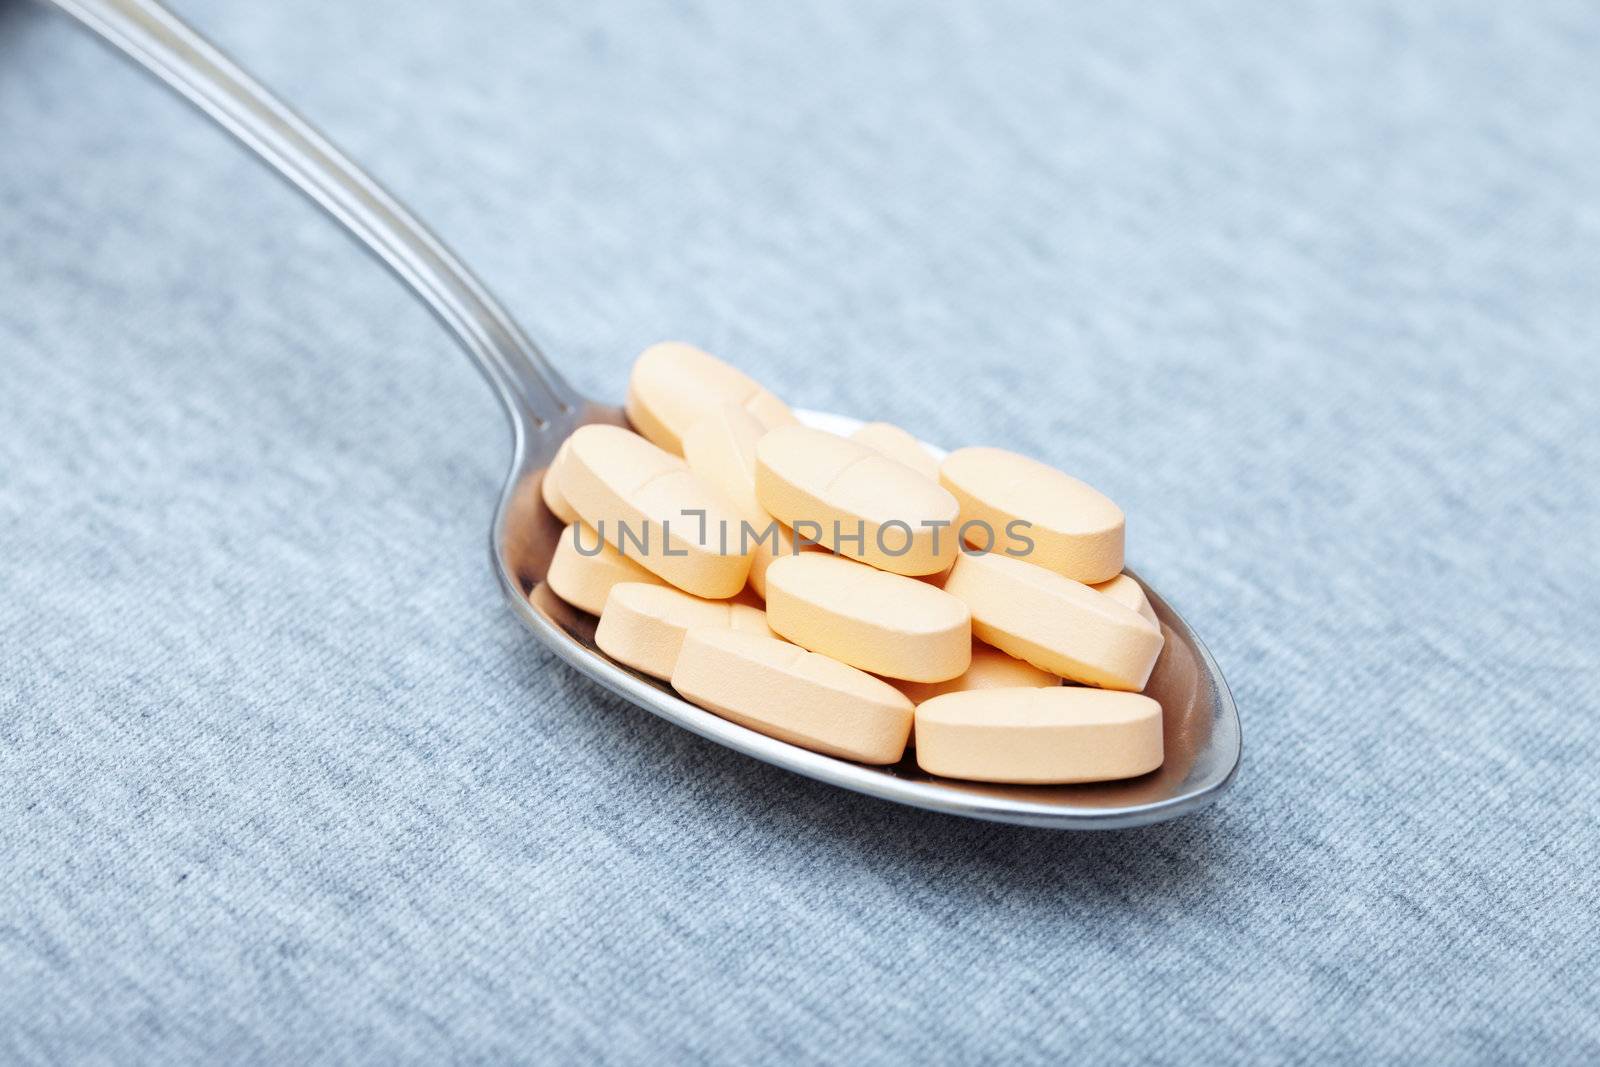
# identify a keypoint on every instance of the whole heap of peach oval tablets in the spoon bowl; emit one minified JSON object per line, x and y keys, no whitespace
{"x":857,"y":596}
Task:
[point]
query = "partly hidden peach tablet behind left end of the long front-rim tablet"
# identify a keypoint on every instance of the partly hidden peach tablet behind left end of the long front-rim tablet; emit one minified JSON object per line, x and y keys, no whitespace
{"x":644,"y":626}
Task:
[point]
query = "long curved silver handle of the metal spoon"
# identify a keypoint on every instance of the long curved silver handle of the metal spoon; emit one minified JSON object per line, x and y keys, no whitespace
{"x":156,"y":39}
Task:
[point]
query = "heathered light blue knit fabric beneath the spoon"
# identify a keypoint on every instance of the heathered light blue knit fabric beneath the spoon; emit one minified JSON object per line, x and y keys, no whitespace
{"x":1311,"y":289}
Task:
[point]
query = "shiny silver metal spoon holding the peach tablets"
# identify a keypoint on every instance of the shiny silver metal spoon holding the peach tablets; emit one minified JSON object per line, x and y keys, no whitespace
{"x":1202,"y":732}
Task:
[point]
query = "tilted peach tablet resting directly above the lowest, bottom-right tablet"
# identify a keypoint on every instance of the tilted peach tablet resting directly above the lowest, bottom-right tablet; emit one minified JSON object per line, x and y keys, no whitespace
{"x":1055,"y":623}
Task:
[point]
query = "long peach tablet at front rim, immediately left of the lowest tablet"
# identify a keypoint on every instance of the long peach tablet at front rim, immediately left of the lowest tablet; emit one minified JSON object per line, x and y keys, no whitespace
{"x":785,"y":692}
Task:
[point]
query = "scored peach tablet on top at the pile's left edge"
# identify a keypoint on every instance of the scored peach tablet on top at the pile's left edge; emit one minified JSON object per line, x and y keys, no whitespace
{"x":649,"y":506}
